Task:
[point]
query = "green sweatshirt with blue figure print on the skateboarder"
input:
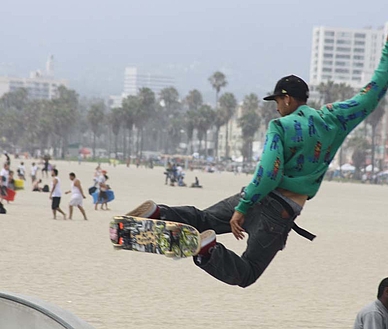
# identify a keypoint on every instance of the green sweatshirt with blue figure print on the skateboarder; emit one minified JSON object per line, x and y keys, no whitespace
{"x":300,"y":146}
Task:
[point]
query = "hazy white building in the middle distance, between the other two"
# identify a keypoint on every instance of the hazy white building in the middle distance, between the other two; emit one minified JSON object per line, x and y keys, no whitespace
{"x":134,"y":79}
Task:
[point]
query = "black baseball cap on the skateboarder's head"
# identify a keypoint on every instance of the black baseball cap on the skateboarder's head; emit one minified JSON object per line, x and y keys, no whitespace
{"x":292,"y":86}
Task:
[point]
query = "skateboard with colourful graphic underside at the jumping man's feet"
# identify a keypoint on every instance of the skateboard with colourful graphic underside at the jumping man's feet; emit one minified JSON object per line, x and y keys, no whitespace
{"x":174,"y":240}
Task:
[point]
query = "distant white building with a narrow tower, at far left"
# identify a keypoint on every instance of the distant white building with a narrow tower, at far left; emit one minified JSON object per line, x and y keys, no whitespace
{"x":40,"y":85}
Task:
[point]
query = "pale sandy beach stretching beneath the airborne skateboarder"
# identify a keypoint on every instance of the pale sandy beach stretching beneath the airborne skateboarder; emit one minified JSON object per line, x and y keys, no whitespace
{"x":320,"y":284}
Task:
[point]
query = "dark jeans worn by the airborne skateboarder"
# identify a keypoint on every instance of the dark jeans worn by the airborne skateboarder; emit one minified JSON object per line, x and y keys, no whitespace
{"x":267,"y":223}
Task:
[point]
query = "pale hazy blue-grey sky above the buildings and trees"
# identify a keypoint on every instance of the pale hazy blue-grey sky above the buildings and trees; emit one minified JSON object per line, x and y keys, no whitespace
{"x":253,"y":42}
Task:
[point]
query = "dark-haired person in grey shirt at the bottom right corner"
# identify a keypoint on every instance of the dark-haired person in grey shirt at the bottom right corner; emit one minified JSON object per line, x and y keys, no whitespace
{"x":375,"y":314}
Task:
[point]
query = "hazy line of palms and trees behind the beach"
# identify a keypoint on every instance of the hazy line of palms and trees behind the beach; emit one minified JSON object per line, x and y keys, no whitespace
{"x":154,"y":122}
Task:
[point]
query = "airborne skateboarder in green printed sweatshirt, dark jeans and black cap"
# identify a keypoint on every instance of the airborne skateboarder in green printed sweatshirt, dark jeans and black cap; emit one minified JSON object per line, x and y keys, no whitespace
{"x":298,"y":150}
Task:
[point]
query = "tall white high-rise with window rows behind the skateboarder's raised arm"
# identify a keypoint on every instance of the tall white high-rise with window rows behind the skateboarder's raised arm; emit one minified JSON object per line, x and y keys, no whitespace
{"x":345,"y":55}
